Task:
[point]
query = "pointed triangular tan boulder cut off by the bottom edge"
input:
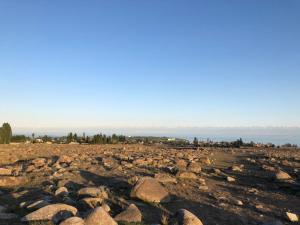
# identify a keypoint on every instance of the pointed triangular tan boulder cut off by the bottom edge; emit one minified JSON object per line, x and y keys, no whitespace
{"x":99,"y":217}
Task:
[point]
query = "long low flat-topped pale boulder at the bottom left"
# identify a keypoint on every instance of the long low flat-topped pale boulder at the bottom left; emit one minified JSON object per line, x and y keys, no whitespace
{"x":54,"y":212}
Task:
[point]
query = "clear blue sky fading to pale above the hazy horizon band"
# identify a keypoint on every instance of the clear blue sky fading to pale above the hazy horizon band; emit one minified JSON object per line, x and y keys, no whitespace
{"x":150,"y":63}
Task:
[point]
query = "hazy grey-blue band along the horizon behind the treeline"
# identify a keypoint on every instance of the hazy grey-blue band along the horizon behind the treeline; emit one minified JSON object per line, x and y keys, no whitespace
{"x":276,"y":135}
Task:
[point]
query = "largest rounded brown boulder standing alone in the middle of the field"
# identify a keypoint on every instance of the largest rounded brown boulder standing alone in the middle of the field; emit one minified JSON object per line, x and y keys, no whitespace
{"x":150,"y":190}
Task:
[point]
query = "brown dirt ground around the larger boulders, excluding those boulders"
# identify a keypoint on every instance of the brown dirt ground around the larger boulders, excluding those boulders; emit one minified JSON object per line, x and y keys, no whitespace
{"x":254,"y":197}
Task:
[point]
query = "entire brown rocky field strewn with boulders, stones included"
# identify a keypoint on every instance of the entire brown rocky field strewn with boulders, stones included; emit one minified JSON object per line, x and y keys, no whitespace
{"x":137,"y":184}
